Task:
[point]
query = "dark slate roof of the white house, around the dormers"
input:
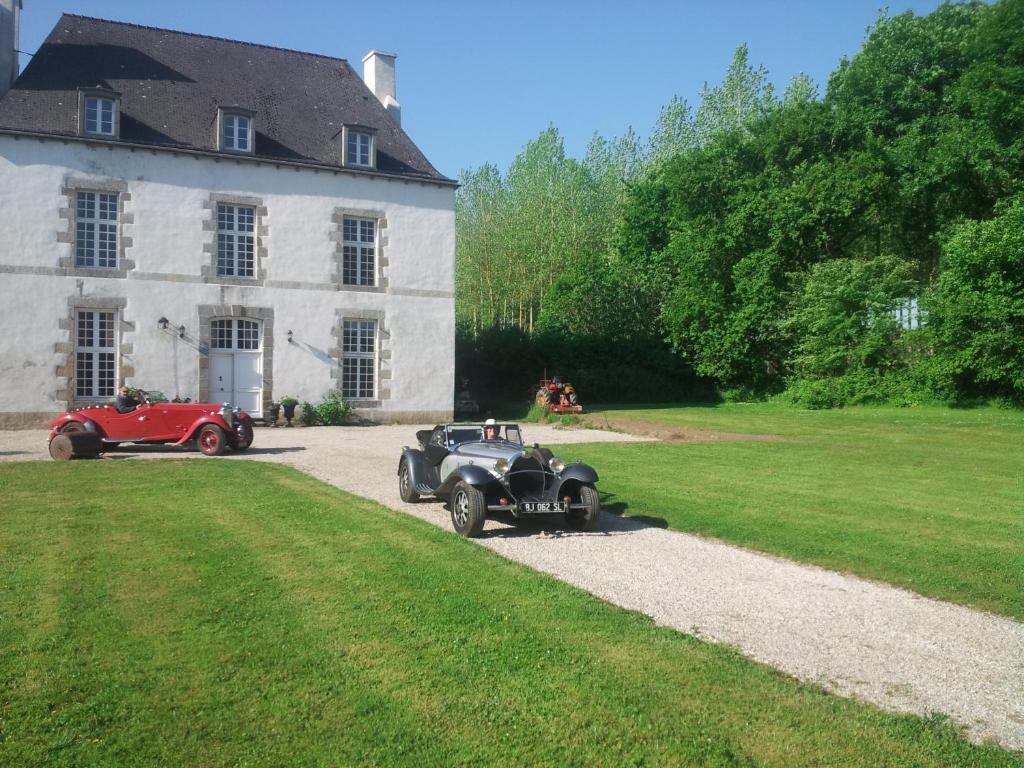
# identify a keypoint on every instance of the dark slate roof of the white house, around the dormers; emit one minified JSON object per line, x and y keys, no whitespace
{"x":173,"y":83}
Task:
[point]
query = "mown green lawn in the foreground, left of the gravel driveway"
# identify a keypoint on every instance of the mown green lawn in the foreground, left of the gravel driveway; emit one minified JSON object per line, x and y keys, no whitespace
{"x":214,"y":613}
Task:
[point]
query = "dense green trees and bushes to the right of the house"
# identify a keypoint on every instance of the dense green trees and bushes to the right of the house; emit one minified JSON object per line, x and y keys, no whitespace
{"x":760,"y":243}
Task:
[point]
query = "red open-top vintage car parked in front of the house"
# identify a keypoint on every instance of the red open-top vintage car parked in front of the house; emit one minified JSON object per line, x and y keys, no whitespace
{"x":214,"y":428}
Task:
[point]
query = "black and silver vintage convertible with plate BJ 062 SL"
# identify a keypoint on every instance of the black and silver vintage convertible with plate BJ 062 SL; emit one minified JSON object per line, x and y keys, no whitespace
{"x":482,"y":468}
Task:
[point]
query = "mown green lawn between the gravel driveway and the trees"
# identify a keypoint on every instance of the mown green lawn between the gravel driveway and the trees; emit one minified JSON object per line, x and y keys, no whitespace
{"x":929,"y":499}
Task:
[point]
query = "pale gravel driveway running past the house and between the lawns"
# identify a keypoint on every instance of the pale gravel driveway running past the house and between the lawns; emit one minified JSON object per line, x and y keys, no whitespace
{"x":855,"y":637}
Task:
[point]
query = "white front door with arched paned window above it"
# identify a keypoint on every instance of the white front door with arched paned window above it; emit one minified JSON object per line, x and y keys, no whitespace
{"x":237,"y":365}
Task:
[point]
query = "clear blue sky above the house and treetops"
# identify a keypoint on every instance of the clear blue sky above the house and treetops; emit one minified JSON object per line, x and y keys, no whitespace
{"x":478,"y":80}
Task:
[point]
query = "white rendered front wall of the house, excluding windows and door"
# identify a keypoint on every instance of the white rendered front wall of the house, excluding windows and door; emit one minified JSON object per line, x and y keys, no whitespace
{"x":167,"y":214}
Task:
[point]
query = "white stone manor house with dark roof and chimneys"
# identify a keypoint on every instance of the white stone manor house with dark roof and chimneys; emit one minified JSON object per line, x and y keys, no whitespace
{"x":218,"y":221}
